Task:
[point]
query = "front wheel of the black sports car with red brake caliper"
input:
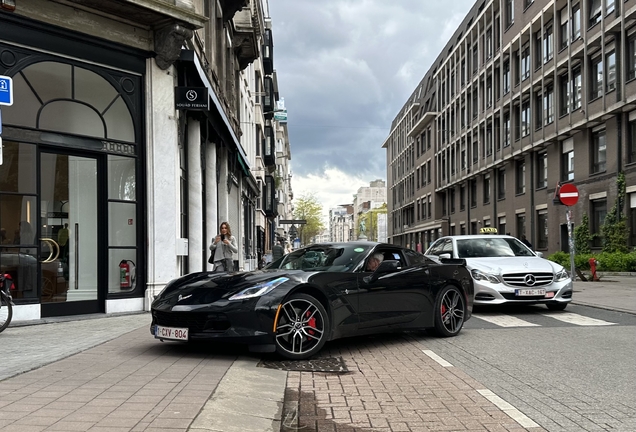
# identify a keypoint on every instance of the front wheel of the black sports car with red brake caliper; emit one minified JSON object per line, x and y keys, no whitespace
{"x":302,"y":327}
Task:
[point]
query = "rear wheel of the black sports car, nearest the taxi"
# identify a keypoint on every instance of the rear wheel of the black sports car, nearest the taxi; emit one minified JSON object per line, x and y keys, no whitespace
{"x":449,"y":311}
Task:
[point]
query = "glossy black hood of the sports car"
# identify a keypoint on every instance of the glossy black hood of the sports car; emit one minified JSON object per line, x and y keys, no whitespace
{"x":204,"y":288}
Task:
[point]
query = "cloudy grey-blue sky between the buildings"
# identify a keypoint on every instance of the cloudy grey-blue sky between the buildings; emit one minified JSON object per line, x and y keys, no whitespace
{"x":345,"y":68}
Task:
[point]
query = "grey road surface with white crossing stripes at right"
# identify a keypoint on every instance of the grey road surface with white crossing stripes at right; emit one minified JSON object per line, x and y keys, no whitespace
{"x":565,"y":376}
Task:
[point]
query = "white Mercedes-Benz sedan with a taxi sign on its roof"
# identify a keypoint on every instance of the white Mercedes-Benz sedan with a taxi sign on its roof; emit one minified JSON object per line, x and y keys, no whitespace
{"x":505,"y":270}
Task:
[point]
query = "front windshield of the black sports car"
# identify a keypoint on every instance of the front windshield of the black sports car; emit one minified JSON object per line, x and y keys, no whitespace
{"x":333,"y":258}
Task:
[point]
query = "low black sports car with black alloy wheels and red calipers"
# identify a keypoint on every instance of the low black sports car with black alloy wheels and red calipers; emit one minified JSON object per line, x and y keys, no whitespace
{"x":316,"y":294}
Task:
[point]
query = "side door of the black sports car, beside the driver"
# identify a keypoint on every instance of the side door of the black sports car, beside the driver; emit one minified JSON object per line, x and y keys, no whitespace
{"x":395,"y":299}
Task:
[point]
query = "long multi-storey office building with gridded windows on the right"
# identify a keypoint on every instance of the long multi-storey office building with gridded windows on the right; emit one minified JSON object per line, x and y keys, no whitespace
{"x":526,"y":96}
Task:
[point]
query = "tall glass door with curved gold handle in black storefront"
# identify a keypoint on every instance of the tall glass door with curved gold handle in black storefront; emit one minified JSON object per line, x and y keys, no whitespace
{"x":68,"y":234}
